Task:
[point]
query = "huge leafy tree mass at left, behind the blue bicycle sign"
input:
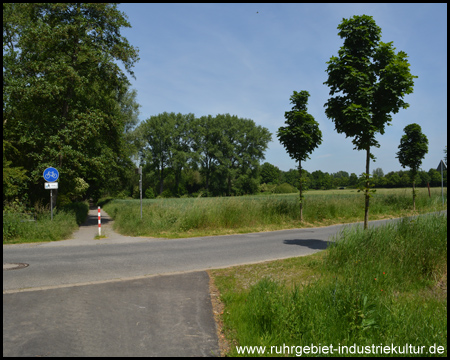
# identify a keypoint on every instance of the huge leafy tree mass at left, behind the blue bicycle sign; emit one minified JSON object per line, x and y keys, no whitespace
{"x":61,"y":91}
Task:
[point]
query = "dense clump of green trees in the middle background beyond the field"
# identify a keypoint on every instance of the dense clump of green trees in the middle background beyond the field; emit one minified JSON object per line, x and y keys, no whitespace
{"x":220,"y":154}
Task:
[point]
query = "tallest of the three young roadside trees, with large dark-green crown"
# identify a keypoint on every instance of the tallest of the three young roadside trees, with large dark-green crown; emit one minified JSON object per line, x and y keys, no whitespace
{"x":369,"y":81}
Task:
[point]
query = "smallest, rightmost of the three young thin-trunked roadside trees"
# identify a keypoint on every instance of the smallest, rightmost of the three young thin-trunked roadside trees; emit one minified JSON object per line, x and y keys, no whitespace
{"x":412,"y":149}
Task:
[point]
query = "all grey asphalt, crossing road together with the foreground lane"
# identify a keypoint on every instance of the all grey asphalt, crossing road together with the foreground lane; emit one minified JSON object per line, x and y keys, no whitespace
{"x":86,"y":297}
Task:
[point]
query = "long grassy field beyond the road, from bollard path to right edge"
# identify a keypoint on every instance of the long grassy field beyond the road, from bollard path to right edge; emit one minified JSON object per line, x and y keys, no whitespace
{"x":189,"y":217}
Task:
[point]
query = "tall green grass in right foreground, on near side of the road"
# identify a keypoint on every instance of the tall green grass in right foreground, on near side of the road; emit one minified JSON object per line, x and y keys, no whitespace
{"x":379,"y":286}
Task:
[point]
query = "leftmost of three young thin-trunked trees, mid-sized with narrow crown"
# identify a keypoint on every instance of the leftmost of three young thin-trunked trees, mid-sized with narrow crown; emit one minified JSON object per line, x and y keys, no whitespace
{"x":301,"y":135}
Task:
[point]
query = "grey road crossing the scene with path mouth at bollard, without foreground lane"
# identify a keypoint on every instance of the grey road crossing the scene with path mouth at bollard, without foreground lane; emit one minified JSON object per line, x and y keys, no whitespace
{"x":83,"y":260}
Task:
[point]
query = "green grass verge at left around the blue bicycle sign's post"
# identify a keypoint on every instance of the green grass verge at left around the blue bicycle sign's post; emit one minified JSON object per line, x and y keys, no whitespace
{"x":19,"y":227}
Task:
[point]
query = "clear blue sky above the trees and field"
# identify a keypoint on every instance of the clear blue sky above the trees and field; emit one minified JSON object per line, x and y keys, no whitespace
{"x":247,"y":59}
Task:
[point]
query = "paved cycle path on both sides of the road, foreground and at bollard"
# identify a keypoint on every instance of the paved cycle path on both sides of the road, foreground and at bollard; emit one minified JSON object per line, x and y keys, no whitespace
{"x":155,"y":316}
